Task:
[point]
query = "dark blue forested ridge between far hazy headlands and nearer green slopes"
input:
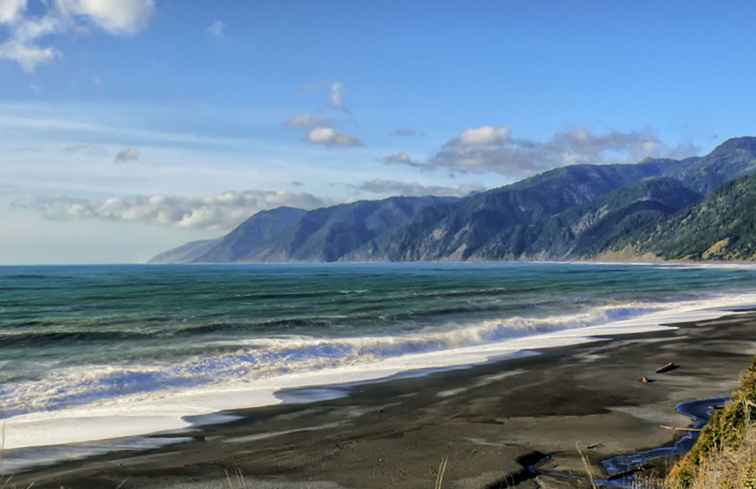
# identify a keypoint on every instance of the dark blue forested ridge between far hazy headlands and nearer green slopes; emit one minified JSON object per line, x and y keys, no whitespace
{"x":502,"y":223}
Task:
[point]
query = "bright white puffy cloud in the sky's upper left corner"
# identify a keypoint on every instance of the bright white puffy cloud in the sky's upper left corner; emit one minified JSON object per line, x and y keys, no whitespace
{"x":24,"y":46}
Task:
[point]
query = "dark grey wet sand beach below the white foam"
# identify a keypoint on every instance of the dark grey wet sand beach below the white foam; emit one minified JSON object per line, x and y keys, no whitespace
{"x":489,"y":421}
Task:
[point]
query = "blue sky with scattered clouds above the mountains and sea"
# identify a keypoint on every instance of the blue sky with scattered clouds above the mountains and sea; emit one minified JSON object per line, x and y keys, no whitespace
{"x":131,"y":126}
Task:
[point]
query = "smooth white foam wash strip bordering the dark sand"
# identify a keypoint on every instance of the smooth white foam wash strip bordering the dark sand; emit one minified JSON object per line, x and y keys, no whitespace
{"x":174,"y":410}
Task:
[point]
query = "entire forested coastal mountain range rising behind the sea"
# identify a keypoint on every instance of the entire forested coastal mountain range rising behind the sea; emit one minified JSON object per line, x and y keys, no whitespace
{"x":697,"y":208}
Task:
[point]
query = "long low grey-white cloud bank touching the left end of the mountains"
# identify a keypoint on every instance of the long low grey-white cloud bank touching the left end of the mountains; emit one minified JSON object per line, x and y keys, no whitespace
{"x":216,"y":212}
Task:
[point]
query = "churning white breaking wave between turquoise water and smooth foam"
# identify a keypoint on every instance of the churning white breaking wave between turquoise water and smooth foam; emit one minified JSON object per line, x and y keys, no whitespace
{"x":242,"y":361}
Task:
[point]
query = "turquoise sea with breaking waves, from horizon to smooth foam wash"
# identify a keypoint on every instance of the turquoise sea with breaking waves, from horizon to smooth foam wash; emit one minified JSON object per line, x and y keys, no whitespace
{"x":73,"y":336}
